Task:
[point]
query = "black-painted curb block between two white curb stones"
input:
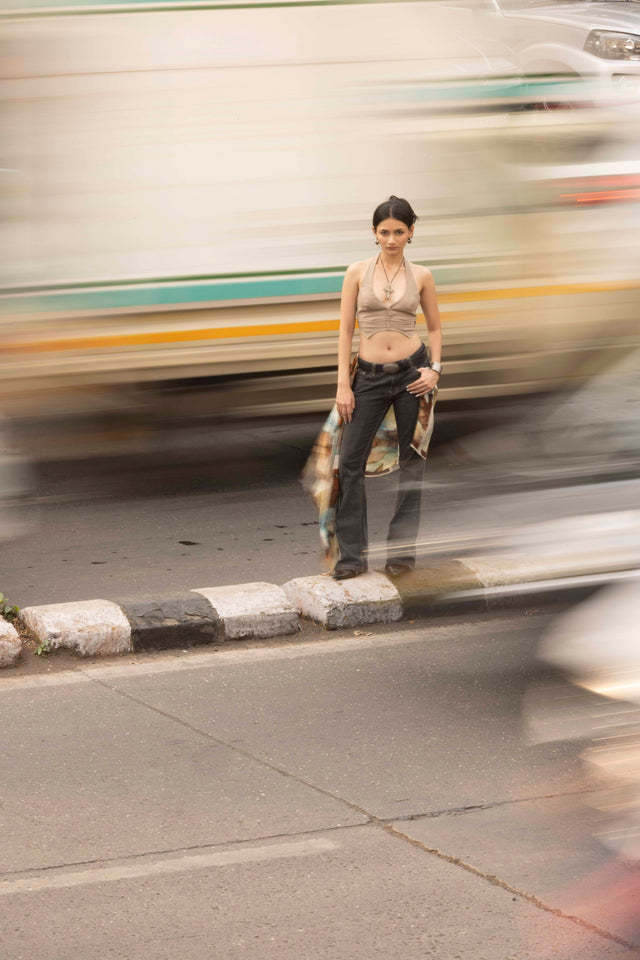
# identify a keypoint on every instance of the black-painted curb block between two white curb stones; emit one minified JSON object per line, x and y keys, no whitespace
{"x":180,"y":620}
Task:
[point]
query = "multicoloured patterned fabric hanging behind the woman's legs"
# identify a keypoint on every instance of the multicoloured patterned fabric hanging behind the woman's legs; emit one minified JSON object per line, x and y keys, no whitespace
{"x":320,"y":474}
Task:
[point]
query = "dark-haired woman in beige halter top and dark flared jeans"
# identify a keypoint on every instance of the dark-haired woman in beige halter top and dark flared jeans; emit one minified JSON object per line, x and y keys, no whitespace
{"x":392,"y":368}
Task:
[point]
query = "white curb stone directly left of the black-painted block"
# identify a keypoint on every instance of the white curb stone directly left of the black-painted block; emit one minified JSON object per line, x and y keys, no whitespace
{"x":90,"y":627}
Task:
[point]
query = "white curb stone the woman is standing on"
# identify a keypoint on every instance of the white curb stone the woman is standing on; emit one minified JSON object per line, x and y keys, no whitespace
{"x":368,"y":598}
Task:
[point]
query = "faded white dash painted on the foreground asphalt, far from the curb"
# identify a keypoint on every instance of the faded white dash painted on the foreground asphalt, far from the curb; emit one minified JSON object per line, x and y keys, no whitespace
{"x":64,"y":878}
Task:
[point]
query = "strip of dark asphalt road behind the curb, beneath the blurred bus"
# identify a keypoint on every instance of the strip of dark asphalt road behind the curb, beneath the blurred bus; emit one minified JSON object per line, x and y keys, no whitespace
{"x":225,"y":506}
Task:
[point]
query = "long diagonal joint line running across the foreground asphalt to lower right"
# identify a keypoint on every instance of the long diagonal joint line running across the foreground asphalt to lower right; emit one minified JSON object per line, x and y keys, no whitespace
{"x":385,"y":825}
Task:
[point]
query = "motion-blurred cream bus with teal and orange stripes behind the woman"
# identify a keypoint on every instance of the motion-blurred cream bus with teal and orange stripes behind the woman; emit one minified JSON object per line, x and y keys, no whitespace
{"x":184,"y":188}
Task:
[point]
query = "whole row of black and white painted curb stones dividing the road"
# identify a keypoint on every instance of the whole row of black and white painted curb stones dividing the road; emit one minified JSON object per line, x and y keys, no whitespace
{"x":211,"y":615}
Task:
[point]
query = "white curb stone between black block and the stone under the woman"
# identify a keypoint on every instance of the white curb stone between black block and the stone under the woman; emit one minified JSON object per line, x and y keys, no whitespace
{"x":252,"y":610}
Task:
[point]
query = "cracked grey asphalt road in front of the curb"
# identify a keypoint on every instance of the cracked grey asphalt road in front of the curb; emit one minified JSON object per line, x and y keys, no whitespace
{"x":362,"y":795}
